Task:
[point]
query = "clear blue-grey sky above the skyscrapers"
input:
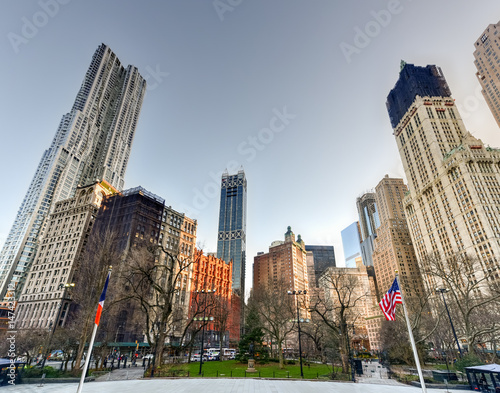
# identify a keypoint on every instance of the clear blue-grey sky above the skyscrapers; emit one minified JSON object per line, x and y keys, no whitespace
{"x":293,"y":91}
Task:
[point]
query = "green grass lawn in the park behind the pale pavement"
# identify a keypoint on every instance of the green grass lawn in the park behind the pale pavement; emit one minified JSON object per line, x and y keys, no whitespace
{"x":233,"y":368}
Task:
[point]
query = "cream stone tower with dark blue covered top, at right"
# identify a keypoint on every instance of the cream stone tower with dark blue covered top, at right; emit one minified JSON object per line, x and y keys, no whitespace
{"x":453,"y":199}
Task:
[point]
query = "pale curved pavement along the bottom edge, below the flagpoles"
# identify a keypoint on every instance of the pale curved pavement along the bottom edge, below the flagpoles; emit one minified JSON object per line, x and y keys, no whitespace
{"x":196,"y":385}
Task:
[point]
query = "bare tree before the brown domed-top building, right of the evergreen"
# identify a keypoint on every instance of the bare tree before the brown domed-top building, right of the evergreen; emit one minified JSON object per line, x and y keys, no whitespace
{"x":276,"y":310}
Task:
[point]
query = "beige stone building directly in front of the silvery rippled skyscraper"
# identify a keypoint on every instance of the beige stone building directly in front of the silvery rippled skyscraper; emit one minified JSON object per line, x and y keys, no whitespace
{"x":68,"y":229}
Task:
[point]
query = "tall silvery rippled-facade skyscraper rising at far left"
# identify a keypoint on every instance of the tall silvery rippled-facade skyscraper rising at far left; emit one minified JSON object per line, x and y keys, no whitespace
{"x":92,"y":142}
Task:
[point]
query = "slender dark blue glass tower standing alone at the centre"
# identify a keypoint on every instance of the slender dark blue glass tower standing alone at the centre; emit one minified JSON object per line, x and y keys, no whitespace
{"x":231,"y":240}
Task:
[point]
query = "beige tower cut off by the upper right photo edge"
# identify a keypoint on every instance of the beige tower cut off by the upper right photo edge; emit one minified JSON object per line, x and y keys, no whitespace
{"x":487,"y":62}
